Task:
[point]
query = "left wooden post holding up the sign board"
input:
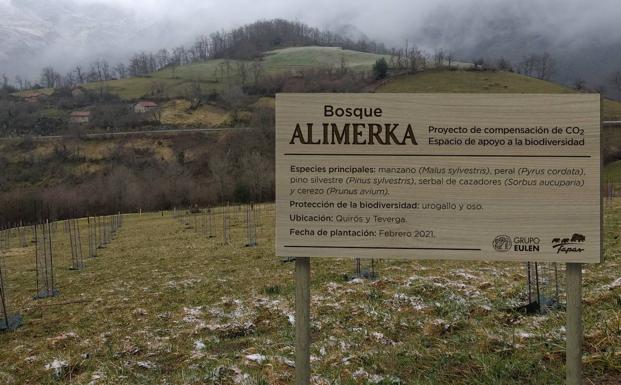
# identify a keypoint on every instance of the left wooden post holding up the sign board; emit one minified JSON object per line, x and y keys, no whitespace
{"x":302,"y":321}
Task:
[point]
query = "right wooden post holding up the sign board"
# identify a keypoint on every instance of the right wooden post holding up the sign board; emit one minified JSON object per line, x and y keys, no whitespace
{"x":574,"y":324}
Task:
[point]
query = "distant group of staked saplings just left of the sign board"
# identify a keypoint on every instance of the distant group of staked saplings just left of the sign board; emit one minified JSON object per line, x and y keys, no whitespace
{"x":208,"y":221}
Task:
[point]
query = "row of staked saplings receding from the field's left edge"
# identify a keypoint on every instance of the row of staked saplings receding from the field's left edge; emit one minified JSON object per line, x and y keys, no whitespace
{"x":101,"y":230}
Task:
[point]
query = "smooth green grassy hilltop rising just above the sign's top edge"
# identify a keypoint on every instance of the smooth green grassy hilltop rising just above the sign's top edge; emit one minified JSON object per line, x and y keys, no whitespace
{"x":484,"y":82}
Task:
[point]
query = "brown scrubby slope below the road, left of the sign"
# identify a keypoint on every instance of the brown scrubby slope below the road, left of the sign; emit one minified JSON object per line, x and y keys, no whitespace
{"x":80,"y":176}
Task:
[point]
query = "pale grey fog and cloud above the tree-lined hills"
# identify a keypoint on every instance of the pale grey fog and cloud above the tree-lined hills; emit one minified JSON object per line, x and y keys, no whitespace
{"x":584,"y":36}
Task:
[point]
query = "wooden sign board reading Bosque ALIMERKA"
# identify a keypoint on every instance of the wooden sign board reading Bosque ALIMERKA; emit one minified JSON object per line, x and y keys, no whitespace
{"x":508,"y":177}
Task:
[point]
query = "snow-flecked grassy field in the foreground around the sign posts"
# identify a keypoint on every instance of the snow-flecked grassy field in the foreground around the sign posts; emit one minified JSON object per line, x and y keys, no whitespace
{"x":165,"y":304}
